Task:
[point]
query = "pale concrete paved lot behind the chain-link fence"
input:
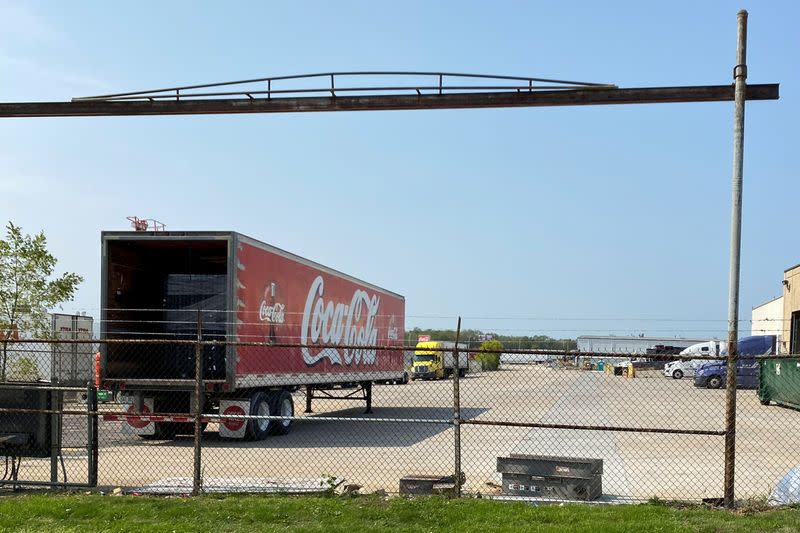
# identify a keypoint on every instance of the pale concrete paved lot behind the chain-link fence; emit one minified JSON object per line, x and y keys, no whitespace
{"x":377,"y":454}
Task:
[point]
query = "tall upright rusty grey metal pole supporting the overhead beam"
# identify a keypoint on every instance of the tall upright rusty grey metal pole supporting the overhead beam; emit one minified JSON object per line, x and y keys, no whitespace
{"x":740,"y":89}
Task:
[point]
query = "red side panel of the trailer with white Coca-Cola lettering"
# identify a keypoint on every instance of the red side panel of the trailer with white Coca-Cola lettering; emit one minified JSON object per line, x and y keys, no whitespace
{"x":282,"y":300}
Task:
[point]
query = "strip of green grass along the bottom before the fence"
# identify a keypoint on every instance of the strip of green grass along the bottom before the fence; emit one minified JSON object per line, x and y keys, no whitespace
{"x":51,"y":512}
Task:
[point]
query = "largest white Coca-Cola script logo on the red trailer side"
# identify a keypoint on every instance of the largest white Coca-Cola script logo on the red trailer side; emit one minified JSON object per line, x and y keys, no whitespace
{"x":333,"y":323}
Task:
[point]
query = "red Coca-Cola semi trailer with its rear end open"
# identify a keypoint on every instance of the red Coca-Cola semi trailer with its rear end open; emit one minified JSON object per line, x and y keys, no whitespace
{"x":160,"y":285}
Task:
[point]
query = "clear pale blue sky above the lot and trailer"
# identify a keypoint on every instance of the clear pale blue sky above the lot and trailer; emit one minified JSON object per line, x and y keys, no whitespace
{"x":605,"y":218}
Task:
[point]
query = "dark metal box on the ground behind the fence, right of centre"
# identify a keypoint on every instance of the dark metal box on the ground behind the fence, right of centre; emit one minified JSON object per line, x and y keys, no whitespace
{"x":569,"y":478}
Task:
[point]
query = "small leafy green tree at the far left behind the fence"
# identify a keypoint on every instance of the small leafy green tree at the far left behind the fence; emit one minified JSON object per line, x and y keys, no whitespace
{"x":26,"y":288}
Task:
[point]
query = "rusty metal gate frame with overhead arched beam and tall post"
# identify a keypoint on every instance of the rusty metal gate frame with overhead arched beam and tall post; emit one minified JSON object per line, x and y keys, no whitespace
{"x":515,"y":96}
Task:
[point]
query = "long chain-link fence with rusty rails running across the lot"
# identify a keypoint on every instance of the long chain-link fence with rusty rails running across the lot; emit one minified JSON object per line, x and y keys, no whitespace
{"x":183,"y":416}
